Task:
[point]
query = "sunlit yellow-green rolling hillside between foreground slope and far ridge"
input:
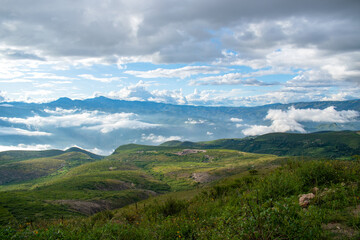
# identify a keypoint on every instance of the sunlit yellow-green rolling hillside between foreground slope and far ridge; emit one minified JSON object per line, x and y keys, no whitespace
{"x":132,"y":173}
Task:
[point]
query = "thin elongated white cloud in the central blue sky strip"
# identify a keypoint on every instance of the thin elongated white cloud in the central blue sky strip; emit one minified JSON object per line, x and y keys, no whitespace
{"x":182,"y":73}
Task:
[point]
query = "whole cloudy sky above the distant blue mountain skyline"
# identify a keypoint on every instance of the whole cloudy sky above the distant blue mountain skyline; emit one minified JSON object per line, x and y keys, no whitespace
{"x":198,"y":52}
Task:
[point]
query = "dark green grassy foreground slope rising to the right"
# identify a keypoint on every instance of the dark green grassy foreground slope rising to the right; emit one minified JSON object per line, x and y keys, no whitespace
{"x":251,"y":206}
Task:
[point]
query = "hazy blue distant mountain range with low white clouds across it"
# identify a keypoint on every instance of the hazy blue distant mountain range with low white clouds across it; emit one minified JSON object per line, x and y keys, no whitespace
{"x":102,"y":124}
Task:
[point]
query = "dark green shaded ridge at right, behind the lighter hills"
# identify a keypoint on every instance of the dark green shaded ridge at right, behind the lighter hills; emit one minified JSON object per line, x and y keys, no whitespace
{"x":321,"y":144}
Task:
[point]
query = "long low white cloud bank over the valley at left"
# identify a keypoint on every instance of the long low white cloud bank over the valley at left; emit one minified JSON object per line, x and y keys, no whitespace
{"x":90,"y":120}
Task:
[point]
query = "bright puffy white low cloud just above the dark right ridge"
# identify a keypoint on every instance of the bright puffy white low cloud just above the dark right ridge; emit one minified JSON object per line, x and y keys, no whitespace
{"x":285,"y":121}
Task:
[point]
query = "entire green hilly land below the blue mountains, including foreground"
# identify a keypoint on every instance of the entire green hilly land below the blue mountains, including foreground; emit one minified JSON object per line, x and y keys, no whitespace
{"x":207,"y":190}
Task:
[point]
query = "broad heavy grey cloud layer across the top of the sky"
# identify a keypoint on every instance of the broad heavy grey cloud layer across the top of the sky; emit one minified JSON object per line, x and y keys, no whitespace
{"x":175,"y":32}
